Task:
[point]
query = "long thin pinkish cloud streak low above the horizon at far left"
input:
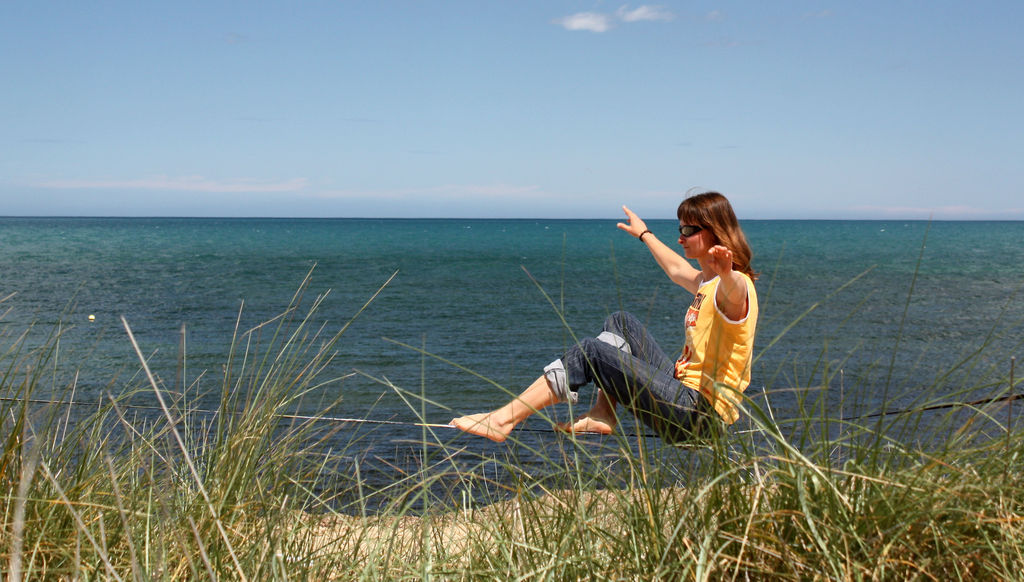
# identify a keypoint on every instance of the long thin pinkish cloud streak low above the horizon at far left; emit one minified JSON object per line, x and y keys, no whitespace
{"x":184,"y":184}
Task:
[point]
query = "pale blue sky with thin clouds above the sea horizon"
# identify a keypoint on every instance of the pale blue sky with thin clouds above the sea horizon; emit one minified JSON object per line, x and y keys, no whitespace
{"x":898,"y":109}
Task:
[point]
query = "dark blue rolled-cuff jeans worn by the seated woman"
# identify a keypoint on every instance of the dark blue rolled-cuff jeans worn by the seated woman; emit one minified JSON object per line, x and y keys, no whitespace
{"x":627,"y":363}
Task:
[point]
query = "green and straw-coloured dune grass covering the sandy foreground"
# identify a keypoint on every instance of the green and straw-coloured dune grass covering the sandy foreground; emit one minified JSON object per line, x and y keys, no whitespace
{"x":247,"y":492}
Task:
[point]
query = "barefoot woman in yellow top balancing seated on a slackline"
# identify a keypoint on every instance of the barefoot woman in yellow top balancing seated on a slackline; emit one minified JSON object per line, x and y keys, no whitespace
{"x":626,"y":363}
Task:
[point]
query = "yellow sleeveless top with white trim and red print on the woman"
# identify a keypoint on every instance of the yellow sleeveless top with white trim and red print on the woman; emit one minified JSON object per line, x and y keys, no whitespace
{"x":718,"y":350}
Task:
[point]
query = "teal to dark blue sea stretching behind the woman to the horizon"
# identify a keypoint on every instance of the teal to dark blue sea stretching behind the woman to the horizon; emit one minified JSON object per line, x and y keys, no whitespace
{"x":449,"y":317}
